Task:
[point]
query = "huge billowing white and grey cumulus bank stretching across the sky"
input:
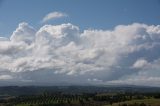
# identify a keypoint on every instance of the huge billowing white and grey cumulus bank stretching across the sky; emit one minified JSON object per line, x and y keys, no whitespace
{"x":128,"y":54}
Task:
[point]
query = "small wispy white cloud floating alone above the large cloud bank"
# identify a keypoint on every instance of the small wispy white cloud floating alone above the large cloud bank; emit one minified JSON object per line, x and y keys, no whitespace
{"x":54,"y":15}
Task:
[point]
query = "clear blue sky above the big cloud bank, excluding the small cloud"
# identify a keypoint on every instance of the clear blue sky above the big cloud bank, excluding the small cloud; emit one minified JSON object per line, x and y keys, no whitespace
{"x":96,"y":14}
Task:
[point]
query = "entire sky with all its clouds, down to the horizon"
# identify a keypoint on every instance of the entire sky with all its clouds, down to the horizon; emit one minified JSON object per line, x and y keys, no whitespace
{"x":97,"y":42}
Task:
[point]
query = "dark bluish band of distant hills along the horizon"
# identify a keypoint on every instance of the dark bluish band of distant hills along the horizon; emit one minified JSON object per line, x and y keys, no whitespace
{"x":35,"y":90}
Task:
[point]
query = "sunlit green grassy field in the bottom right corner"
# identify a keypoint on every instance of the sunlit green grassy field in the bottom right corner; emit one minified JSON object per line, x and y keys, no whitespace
{"x":149,"y":102}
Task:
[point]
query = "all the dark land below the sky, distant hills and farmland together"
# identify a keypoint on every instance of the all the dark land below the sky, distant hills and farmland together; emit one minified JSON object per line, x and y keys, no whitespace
{"x":80,"y":96}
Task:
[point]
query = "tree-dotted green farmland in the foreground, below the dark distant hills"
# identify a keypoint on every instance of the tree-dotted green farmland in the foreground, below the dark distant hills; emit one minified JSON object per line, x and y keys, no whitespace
{"x":92,"y":98}
